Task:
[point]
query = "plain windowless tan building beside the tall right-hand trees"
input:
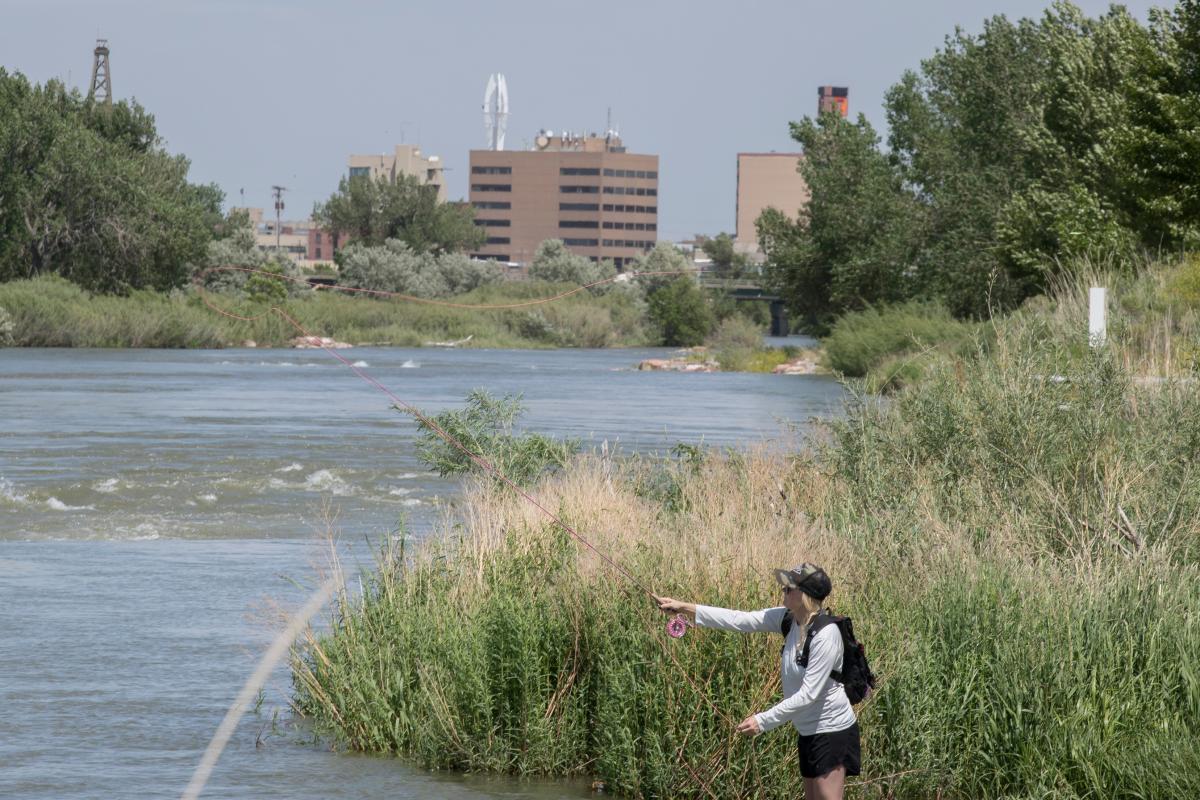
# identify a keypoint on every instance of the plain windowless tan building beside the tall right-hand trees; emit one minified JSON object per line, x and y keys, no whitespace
{"x":767,"y":181}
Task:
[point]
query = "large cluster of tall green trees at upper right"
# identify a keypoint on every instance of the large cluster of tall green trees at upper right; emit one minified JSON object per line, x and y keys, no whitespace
{"x":1011,"y":153}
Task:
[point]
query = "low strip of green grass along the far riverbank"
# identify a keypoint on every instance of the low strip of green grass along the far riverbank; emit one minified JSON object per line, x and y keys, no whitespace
{"x":52,"y":312}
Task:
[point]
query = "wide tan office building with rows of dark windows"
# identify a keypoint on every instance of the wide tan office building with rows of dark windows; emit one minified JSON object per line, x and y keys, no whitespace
{"x":585,"y":190}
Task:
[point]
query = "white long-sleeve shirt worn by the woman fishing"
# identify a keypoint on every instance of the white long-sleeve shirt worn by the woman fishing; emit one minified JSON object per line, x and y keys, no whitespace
{"x":813,"y":701}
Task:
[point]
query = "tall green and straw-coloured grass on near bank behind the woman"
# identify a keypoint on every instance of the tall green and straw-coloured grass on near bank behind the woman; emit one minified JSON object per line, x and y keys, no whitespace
{"x":1019,"y":555}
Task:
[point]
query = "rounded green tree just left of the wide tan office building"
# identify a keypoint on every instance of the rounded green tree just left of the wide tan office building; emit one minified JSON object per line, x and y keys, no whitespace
{"x":373,"y":210}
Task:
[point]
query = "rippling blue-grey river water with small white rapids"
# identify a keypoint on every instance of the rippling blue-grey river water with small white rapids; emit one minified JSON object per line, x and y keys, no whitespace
{"x":158,"y":507}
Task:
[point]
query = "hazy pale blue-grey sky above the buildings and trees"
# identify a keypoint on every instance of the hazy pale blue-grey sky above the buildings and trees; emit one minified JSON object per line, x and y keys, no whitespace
{"x":266,"y":92}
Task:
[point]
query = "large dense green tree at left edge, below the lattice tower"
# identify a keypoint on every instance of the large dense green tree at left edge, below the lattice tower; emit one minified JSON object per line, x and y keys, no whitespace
{"x":91,"y":194}
